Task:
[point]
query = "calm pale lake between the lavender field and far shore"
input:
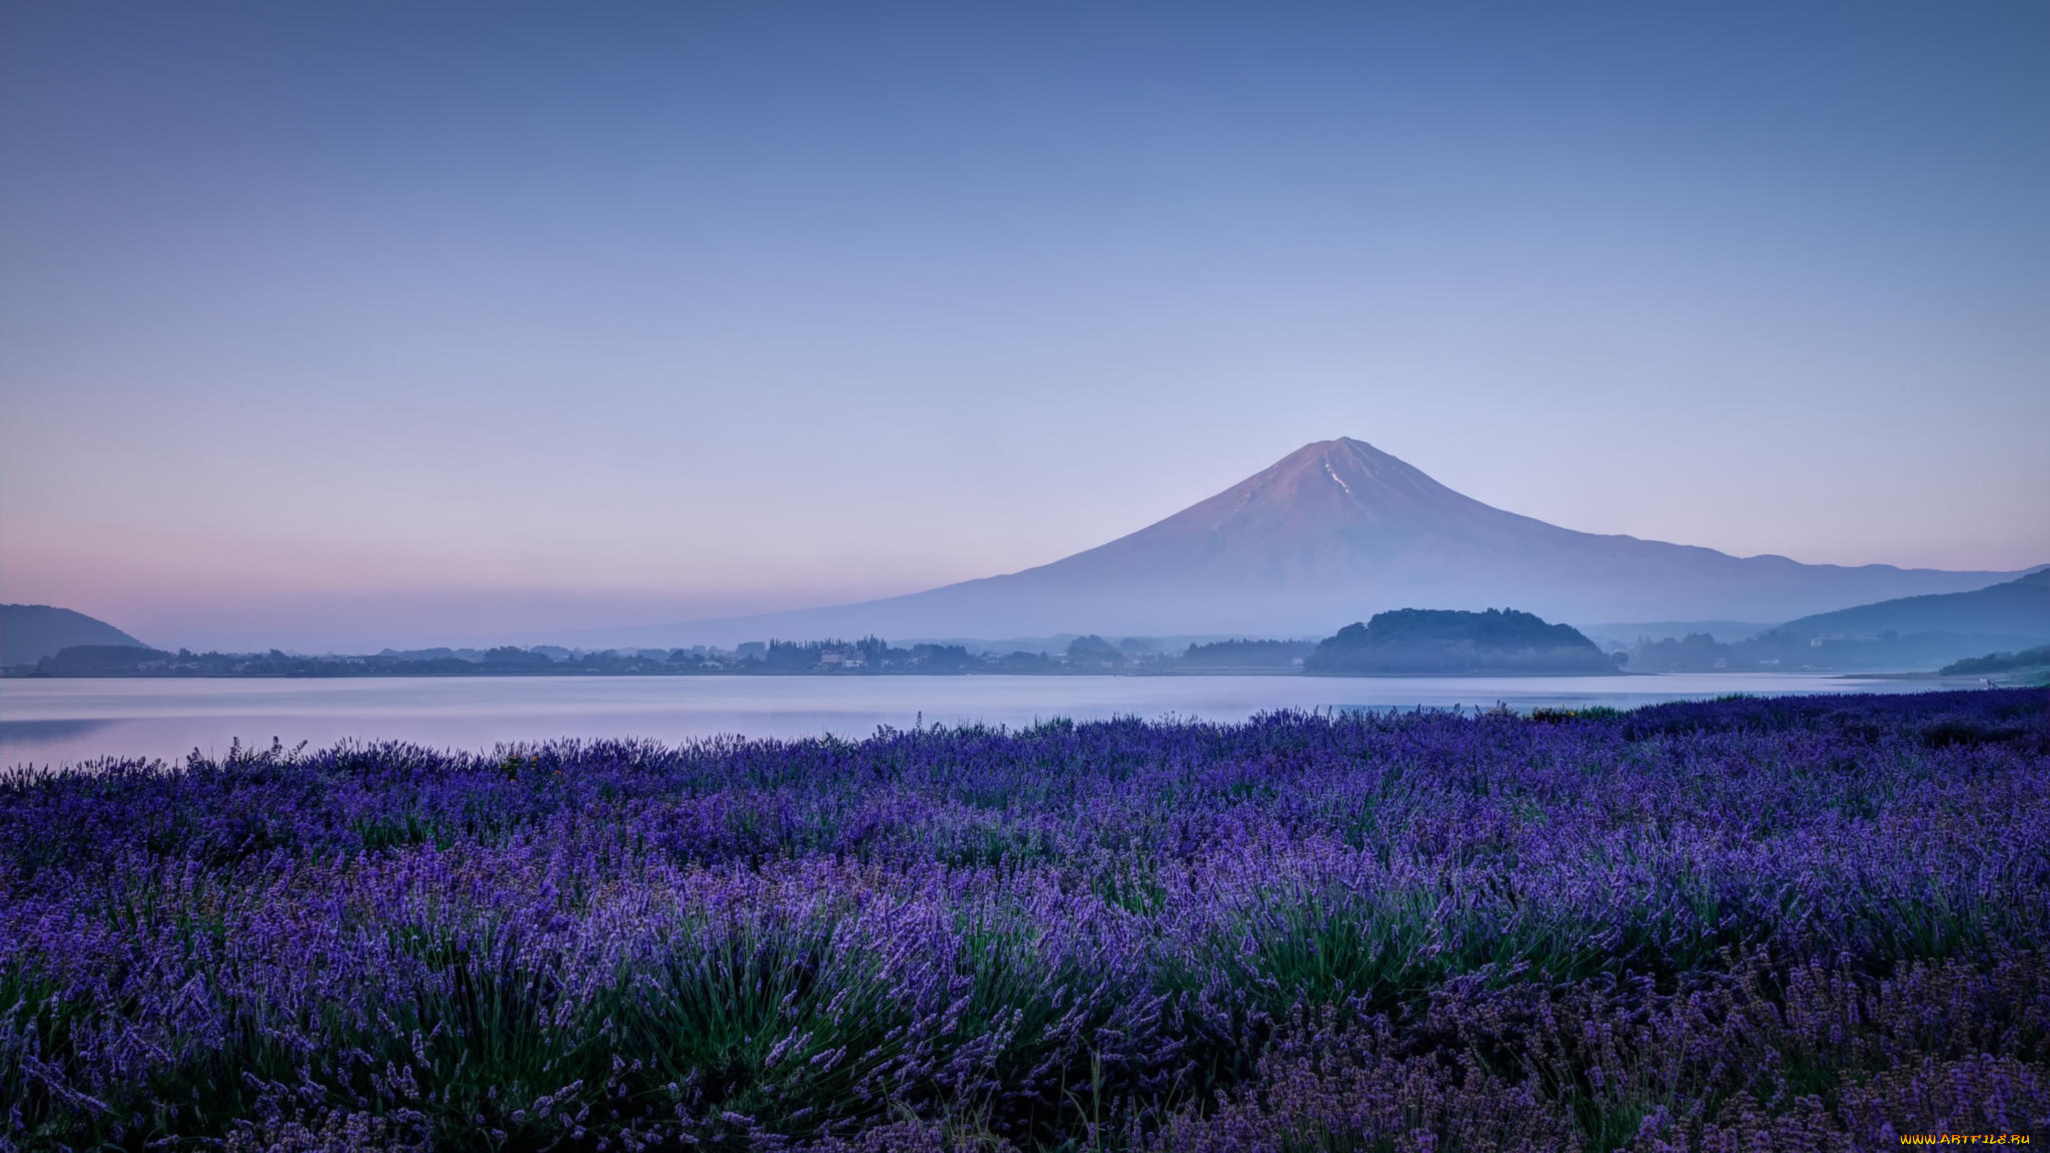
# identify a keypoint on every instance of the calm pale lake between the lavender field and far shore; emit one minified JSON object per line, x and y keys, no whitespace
{"x":63,"y":721}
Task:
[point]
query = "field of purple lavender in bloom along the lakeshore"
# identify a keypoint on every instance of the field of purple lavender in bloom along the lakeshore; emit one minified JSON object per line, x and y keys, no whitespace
{"x":1705,"y":926}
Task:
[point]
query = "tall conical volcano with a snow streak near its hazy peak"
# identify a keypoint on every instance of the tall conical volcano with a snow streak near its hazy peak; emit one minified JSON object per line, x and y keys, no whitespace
{"x":1334,"y":534}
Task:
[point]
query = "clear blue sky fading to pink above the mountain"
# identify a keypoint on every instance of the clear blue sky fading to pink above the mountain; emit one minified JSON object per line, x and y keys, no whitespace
{"x":368,"y":323}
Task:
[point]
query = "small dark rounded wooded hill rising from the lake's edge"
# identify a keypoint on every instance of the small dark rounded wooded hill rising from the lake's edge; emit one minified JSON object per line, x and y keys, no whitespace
{"x":1444,"y":641}
